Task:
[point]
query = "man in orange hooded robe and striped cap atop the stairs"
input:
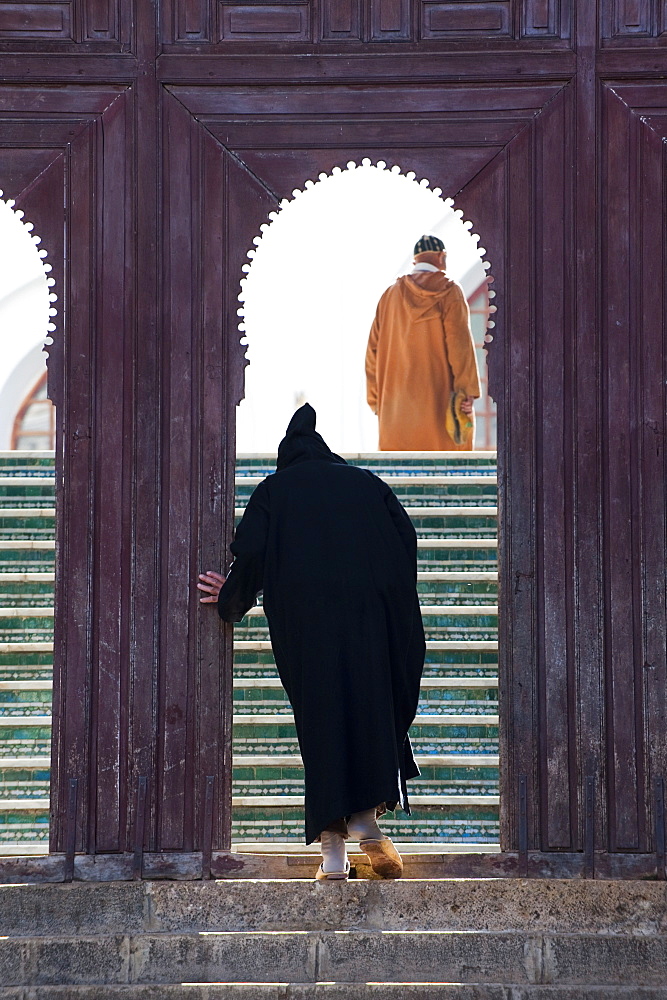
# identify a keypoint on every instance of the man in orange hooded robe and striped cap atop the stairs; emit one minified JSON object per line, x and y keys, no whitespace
{"x":421,"y":369}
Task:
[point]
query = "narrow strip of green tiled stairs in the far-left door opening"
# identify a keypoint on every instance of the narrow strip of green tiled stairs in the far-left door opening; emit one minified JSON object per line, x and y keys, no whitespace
{"x":26,"y":648}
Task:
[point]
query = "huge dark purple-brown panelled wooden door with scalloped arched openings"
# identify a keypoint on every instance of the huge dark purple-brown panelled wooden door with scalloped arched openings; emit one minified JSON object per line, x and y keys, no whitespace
{"x":147,"y":162}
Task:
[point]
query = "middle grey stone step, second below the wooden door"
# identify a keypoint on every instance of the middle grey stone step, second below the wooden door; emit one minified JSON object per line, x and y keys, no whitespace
{"x":310,"y":957}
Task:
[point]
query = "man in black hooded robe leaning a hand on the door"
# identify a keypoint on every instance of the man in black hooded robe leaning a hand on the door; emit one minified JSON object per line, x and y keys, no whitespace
{"x":335,"y":555}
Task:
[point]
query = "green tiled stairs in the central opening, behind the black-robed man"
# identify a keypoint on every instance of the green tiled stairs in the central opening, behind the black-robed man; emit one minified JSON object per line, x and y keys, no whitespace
{"x":452,"y":501}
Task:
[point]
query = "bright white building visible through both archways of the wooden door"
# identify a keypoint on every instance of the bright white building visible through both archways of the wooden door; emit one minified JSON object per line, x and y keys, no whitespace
{"x":306,"y":306}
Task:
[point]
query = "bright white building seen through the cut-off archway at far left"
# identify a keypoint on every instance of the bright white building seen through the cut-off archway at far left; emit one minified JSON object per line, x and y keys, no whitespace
{"x":26,"y":416}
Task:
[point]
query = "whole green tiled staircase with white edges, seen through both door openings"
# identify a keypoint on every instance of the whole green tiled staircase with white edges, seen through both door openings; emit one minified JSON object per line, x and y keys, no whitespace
{"x":455,"y":801}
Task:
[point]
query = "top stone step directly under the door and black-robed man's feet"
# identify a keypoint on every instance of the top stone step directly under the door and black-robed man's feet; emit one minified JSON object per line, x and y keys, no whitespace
{"x":492,"y":905}
